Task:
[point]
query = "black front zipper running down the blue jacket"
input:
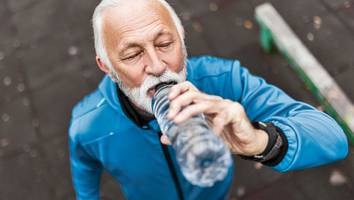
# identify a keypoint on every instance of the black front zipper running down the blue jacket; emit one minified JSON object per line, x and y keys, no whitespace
{"x":171,"y":168}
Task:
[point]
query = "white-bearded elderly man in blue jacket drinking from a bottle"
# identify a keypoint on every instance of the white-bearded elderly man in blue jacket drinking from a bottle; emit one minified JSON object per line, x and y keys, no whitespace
{"x":139,"y":44}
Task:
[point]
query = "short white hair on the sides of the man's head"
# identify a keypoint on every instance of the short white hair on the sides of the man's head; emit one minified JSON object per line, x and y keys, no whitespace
{"x":97,"y":23}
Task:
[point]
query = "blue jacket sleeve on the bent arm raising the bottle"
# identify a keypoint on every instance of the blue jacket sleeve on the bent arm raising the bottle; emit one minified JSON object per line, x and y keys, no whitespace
{"x":314,"y":138}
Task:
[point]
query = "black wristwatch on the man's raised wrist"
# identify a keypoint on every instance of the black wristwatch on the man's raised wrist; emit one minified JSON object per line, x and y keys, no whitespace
{"x":275,"y":142}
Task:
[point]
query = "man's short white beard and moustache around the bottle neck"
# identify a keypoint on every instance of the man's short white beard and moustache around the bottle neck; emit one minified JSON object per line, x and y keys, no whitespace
{"x":139,"y":95}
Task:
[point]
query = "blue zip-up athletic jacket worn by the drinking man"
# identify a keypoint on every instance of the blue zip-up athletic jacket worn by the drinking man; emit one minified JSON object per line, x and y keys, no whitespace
{"x":102,"y":137}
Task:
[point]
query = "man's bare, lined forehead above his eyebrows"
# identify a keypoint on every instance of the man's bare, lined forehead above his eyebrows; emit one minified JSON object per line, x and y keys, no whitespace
{"x":119,"y":23}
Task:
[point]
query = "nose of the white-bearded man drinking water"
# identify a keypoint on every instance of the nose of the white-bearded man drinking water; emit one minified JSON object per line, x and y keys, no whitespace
{"x":153,"y":64}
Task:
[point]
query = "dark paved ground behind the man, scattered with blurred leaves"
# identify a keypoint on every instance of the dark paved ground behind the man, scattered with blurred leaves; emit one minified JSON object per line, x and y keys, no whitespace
{"x":47,"y":64}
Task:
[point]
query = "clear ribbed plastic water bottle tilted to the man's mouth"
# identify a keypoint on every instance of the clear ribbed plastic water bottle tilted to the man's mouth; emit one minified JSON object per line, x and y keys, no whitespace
{"x":203,"y":157}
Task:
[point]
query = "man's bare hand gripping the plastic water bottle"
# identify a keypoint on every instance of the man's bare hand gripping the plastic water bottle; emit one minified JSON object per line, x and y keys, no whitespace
{"x":227,"y":118}
